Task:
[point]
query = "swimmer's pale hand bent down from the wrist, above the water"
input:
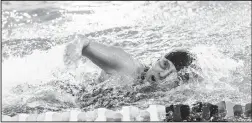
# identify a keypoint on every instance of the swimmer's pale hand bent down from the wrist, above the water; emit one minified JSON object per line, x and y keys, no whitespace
{"x":73,"y":50}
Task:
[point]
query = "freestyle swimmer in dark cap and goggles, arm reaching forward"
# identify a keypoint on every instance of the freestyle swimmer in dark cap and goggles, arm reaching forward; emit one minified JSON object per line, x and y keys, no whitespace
{"x":114,"y":60}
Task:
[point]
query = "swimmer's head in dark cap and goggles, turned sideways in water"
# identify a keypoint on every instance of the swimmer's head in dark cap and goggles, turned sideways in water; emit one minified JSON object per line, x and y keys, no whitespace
{"x":168,"y":65}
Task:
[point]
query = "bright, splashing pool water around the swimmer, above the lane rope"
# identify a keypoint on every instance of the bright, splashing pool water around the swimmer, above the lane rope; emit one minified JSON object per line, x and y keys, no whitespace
{"x":34,"y":35}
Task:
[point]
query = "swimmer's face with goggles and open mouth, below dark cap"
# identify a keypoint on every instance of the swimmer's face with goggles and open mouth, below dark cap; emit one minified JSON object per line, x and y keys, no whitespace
{"x":160,"y":70}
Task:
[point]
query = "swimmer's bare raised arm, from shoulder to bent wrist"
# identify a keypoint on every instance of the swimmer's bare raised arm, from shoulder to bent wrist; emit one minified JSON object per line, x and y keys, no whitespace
{"x":108,"y":58}
